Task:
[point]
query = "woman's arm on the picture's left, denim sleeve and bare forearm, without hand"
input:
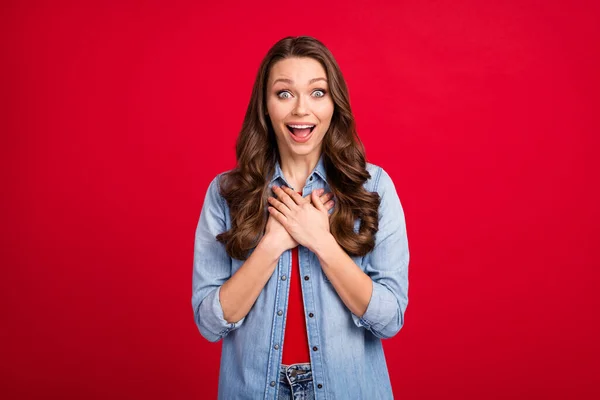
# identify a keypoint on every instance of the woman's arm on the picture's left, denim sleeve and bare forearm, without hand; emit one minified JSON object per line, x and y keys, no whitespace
{"x":220,"y":301}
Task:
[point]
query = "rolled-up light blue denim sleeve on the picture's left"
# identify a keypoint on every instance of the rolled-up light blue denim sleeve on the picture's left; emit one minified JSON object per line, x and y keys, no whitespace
{"x":212,"y":268}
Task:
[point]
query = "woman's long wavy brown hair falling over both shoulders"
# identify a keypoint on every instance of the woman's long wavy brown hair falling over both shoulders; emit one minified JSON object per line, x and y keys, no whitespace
{"x":245,"y":188}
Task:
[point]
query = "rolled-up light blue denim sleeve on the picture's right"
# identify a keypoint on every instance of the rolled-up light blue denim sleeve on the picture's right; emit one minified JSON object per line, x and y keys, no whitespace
{"x":387,"y":265}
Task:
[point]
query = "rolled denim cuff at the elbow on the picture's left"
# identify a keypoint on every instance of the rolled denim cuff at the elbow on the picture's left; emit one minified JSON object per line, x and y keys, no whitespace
{"x":210,"y":319}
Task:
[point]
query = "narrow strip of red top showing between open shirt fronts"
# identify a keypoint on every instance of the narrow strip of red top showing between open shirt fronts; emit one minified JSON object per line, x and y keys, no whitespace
{"x":295,"y":341}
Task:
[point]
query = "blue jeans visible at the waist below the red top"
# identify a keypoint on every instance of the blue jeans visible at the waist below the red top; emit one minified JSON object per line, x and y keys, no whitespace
{"x":295,"y":382}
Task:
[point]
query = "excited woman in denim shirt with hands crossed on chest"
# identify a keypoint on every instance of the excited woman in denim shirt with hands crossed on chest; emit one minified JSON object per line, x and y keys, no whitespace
{"x":301,"y":254}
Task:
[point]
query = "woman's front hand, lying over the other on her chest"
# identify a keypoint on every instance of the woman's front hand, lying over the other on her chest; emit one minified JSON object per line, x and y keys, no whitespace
{"x":306,"y":220}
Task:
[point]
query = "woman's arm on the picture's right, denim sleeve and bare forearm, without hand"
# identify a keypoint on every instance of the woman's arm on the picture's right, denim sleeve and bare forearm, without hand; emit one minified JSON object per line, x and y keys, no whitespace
{"x":379,"y":296}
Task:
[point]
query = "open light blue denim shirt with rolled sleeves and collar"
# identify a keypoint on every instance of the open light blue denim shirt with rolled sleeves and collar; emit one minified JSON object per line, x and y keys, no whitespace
{"x":346,"y":353}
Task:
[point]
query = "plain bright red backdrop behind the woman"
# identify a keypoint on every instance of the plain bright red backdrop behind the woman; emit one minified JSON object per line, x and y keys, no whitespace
{"x":116,"y":115}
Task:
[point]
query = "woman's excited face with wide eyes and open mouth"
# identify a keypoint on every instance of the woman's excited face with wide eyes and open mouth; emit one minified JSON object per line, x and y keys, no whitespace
{"x":299,"y":105}
